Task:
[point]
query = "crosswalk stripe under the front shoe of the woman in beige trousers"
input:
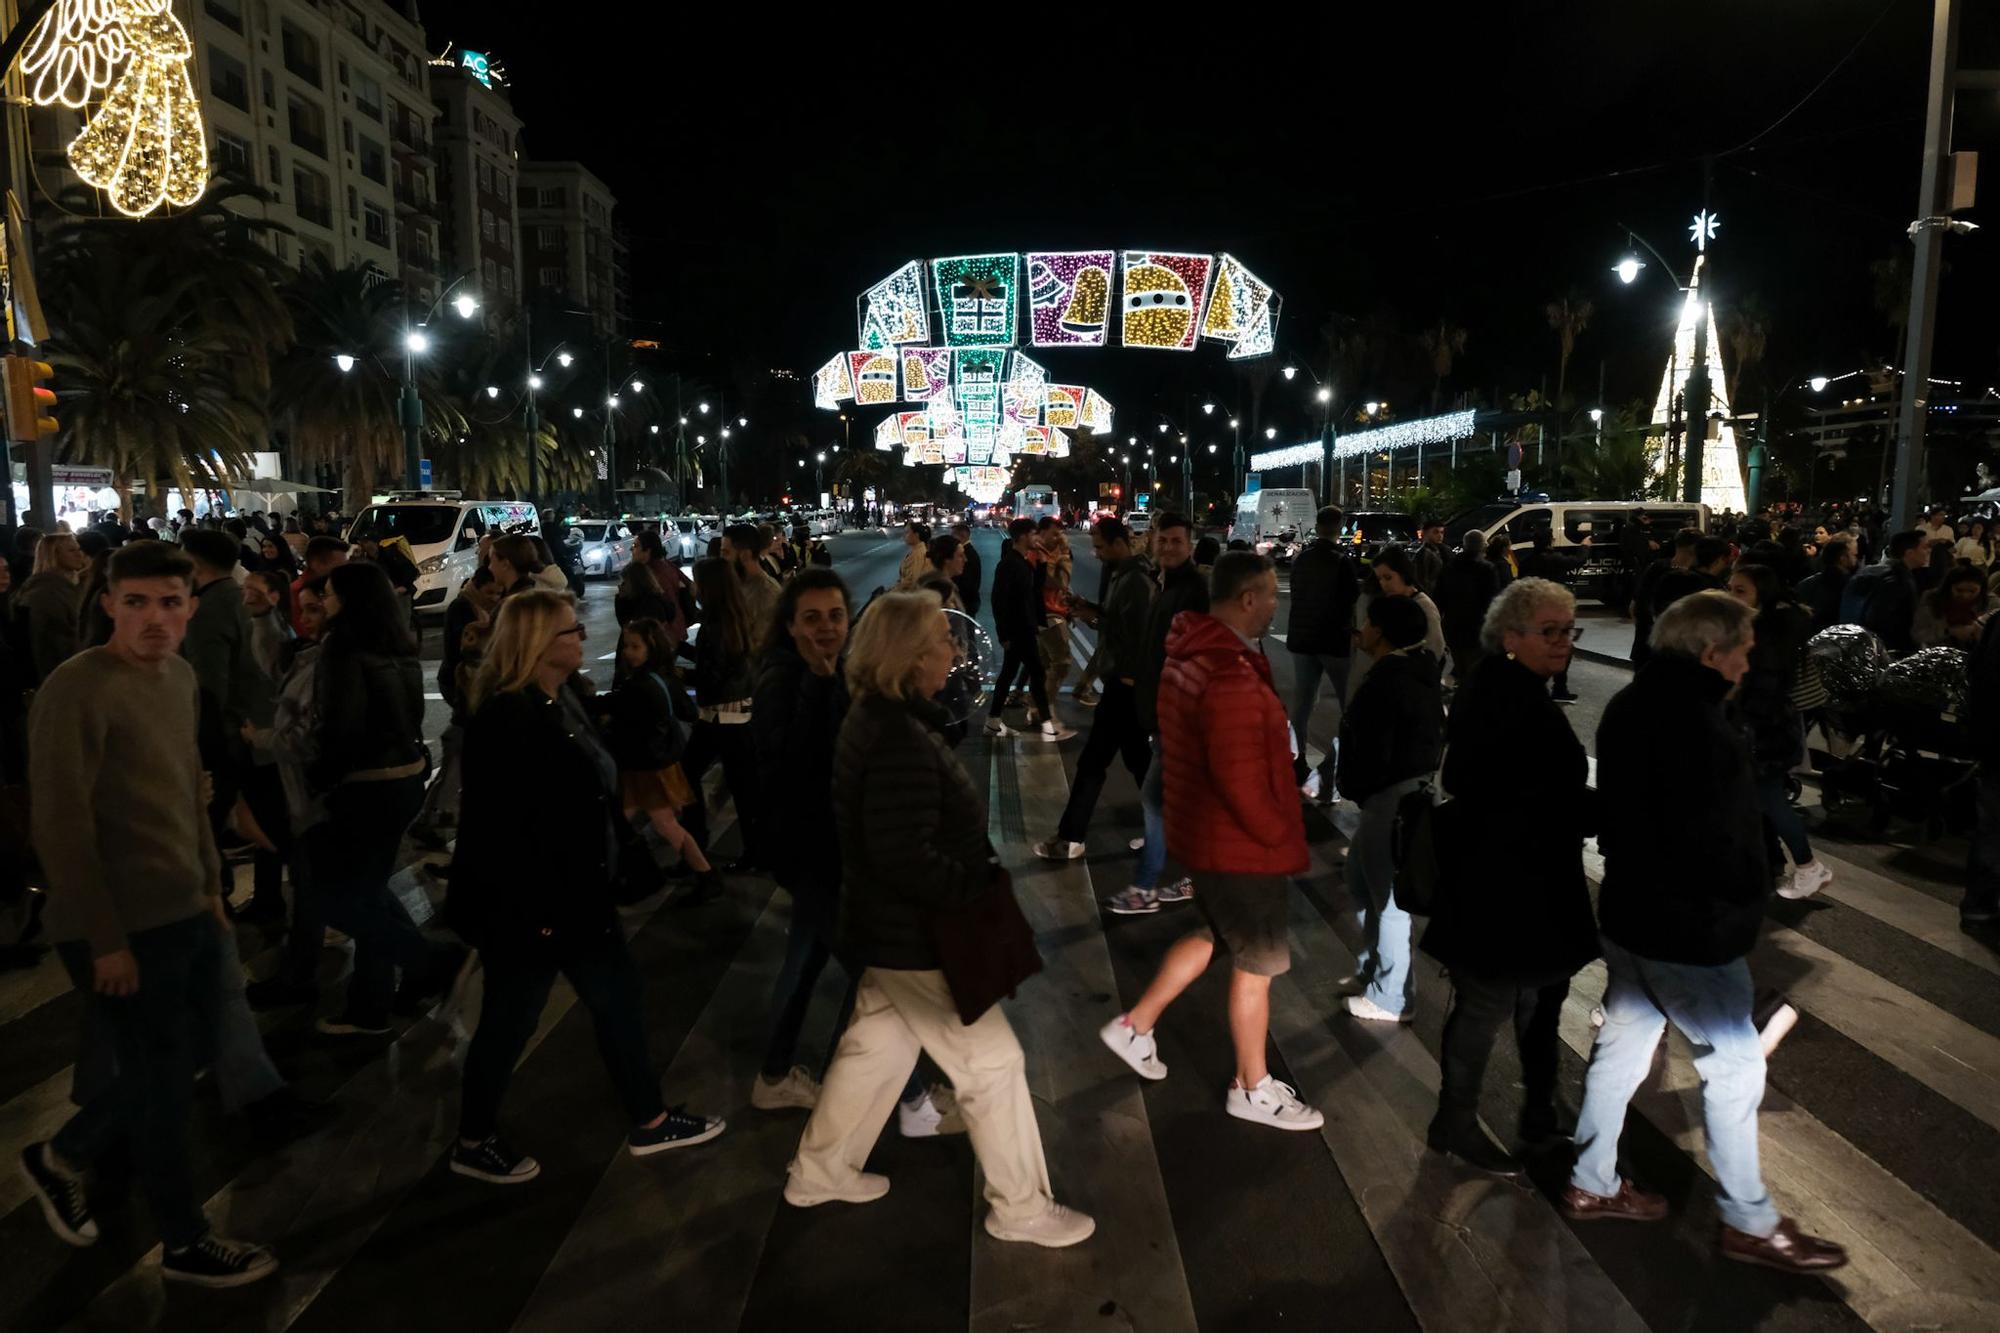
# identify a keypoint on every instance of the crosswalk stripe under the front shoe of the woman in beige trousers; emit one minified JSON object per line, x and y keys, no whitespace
{"x":1093,"y":1118}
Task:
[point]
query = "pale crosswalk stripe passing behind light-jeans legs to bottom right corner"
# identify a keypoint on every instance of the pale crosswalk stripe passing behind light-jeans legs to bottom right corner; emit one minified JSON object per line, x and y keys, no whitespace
{"x":1911,"y":1266}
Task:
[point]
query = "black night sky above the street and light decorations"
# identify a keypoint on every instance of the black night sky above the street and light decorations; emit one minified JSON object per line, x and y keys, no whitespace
{"x":1391,"y":171}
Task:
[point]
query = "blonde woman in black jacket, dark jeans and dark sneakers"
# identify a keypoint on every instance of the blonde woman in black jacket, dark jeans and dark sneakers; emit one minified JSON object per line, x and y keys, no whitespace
{"x":543,"y":904}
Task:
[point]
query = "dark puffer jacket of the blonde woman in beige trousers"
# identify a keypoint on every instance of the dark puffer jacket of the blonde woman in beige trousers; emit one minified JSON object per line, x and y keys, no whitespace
{"x":913,"y":834}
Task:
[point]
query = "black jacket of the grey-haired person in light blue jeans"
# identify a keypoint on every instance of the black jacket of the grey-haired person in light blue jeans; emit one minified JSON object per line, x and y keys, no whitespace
{"x":1683,"y":836}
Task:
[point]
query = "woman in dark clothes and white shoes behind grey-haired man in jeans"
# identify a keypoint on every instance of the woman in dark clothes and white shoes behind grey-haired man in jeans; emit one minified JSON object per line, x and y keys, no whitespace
{"x":1777,"y":732}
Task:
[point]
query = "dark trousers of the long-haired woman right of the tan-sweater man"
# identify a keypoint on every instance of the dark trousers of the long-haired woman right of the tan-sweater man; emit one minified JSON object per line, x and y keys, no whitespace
{"x":353,"y":858}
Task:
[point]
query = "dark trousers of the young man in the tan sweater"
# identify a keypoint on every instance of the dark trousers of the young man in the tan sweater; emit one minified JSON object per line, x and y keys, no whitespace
{"x":157,"y":1040}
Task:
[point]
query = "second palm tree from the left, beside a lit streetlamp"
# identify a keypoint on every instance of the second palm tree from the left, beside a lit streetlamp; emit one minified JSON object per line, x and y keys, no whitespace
{"x":353,"y":417}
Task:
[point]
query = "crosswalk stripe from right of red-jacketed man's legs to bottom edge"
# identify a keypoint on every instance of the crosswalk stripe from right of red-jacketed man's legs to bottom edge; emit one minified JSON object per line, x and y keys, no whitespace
{"x":1465,"y":1252}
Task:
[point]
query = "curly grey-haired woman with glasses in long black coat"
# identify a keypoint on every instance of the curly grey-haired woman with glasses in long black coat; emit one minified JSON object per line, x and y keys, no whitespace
{"x":1513,"y":920}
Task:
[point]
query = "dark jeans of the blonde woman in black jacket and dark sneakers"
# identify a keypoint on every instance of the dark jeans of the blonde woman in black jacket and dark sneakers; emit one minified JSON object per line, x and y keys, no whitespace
{"x":517,"y":990}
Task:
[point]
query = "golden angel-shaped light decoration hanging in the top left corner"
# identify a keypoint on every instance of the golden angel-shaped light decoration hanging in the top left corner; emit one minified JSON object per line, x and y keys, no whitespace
{"x":143,"y":145}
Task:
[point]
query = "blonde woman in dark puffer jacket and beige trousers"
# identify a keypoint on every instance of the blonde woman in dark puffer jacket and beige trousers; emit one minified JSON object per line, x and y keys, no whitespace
{"x":913,"y":844}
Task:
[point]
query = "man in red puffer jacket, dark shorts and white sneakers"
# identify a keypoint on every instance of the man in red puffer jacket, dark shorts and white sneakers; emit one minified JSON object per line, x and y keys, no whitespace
{"x":1233,"y":820}
